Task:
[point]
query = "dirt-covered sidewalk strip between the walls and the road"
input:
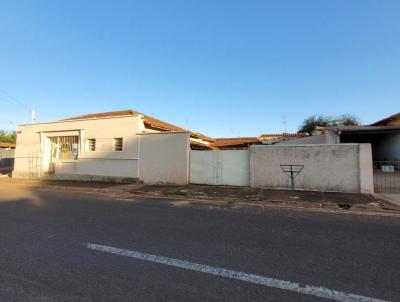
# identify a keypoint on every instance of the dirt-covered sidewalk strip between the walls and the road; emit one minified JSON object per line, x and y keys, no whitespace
{"x":221,"y":195}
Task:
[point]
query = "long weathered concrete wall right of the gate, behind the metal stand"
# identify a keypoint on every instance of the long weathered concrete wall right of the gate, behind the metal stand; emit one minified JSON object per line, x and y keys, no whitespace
{"x":327,"y":167}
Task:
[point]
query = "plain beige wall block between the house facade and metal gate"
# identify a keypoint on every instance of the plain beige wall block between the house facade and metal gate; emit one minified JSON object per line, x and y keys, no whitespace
{"x":164,"y":157}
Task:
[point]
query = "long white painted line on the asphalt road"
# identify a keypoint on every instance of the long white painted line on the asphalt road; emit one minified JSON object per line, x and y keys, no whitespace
{"x":317,"y":291}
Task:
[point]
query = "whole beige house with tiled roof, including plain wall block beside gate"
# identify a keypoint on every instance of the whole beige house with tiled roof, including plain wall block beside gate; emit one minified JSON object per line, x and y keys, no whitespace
{"x":118,"y":146}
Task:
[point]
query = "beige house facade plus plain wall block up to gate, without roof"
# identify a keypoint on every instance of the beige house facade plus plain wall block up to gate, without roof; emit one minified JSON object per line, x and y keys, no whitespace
{"x":150,"y":157}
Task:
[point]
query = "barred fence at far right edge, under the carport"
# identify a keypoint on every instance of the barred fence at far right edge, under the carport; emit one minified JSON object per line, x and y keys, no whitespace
{"x":387,"y":176}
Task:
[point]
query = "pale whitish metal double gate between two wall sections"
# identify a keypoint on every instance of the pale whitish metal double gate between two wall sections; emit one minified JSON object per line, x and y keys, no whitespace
{"x":222,"y":167}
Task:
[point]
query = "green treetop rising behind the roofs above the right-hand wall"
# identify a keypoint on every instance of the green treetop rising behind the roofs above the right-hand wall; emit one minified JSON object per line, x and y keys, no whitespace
{"x":310,"y":123}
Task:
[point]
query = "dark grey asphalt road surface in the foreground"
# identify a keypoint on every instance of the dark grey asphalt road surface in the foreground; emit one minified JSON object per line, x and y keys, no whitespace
{"x":44,"y":254}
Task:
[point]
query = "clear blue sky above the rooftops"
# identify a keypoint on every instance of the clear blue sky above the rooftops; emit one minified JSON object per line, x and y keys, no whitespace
{"x":224,"y":68}
